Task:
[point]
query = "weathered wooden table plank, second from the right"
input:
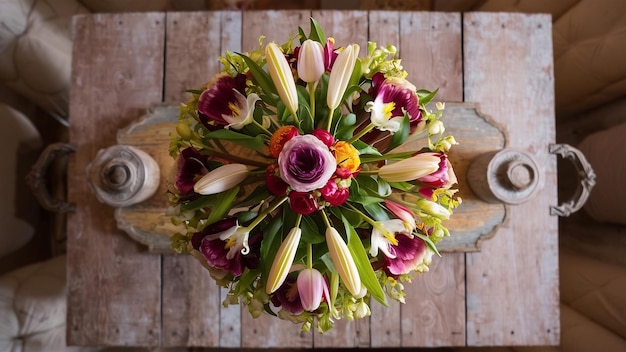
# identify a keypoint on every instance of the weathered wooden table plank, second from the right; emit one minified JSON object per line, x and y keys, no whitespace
{"x":434,"y":313}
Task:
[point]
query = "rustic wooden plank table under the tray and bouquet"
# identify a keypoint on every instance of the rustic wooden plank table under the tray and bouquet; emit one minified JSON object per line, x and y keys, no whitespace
{"x":506,"y":294}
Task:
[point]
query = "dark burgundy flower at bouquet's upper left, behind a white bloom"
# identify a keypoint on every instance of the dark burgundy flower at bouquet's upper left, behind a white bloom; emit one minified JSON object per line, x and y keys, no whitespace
{"x":218,"y":99}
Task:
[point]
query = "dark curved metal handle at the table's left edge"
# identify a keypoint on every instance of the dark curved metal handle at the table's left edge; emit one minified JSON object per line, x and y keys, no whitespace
{"x":36,"y":178}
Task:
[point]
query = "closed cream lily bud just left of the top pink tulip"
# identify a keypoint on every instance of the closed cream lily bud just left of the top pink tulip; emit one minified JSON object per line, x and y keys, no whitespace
{"x":282,"y":77}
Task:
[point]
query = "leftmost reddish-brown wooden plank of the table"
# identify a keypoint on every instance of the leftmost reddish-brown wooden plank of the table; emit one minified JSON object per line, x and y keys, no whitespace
{"x":114,"y":295}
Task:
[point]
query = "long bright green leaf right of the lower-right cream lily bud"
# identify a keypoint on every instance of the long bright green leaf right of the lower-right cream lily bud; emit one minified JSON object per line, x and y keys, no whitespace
{"x":361,"y":259}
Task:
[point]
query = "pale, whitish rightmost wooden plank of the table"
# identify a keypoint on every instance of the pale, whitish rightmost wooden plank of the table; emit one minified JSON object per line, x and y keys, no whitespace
{"x":512,"y":284}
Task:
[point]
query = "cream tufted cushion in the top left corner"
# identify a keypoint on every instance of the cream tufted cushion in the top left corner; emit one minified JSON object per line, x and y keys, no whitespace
{"x":36,"y":48}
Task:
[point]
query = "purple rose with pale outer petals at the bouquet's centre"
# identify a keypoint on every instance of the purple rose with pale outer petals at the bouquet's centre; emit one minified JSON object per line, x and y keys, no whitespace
{"x":306,"y":163}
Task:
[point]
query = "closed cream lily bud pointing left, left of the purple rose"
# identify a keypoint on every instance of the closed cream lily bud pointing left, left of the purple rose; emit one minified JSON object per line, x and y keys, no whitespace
{"x":221,"y":179}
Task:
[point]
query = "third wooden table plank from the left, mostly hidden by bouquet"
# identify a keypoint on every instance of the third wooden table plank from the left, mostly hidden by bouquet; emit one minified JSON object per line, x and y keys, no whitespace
{"x":268,"y":331}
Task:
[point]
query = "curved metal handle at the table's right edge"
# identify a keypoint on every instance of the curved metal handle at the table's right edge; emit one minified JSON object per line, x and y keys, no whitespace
{"x":585,"y":173}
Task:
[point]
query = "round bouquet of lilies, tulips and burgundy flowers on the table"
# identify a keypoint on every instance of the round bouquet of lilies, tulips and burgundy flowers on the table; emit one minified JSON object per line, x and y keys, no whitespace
{"x":310,"y":180}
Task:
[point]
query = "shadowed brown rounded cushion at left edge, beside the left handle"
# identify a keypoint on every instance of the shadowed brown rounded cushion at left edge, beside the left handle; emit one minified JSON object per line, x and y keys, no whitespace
{"x":19,"y":143}
